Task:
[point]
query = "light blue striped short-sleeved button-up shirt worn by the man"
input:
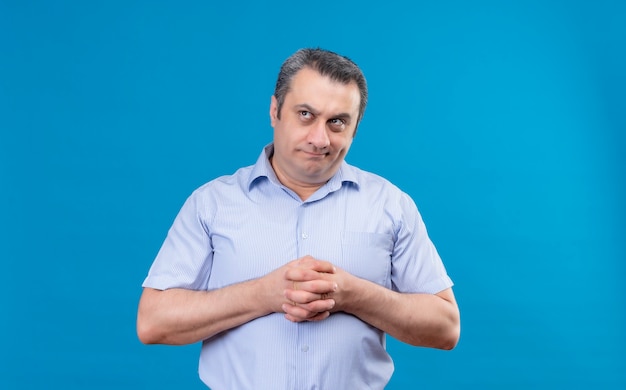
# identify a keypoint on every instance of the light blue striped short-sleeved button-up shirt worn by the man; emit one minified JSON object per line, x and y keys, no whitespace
{"x":243,"y":226}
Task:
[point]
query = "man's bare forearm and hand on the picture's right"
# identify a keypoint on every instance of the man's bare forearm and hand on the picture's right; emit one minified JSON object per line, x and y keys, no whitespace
{"x":428,"y":320}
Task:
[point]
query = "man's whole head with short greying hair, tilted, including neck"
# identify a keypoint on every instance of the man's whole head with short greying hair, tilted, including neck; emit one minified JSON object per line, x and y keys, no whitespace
{"x":319,"y":102}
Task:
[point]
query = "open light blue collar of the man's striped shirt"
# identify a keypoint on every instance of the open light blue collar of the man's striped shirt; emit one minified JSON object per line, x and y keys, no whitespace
{"x":263,"y":169}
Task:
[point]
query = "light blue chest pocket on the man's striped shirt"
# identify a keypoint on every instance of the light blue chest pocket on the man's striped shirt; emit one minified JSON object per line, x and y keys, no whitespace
{"x":368,"y":256}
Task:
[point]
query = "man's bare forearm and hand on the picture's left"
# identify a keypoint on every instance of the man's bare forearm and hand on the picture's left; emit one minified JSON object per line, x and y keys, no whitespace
{"x":179,"y":316}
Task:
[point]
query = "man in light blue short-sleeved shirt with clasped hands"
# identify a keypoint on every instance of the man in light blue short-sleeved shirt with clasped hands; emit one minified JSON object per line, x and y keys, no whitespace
{"x":291,"y":271}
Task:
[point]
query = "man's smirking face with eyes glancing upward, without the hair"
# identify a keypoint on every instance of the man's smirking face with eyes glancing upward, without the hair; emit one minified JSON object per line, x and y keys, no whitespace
{"x":315,"y":130}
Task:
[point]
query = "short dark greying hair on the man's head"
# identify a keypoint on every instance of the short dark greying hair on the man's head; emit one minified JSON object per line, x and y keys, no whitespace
{"x":336,"y":67}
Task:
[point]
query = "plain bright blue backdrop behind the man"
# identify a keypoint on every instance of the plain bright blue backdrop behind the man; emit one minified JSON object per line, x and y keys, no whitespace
{"x":504,"y":121}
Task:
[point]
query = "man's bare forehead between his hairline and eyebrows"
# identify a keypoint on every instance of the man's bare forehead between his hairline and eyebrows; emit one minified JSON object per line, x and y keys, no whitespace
{"x":321,"y":92}
